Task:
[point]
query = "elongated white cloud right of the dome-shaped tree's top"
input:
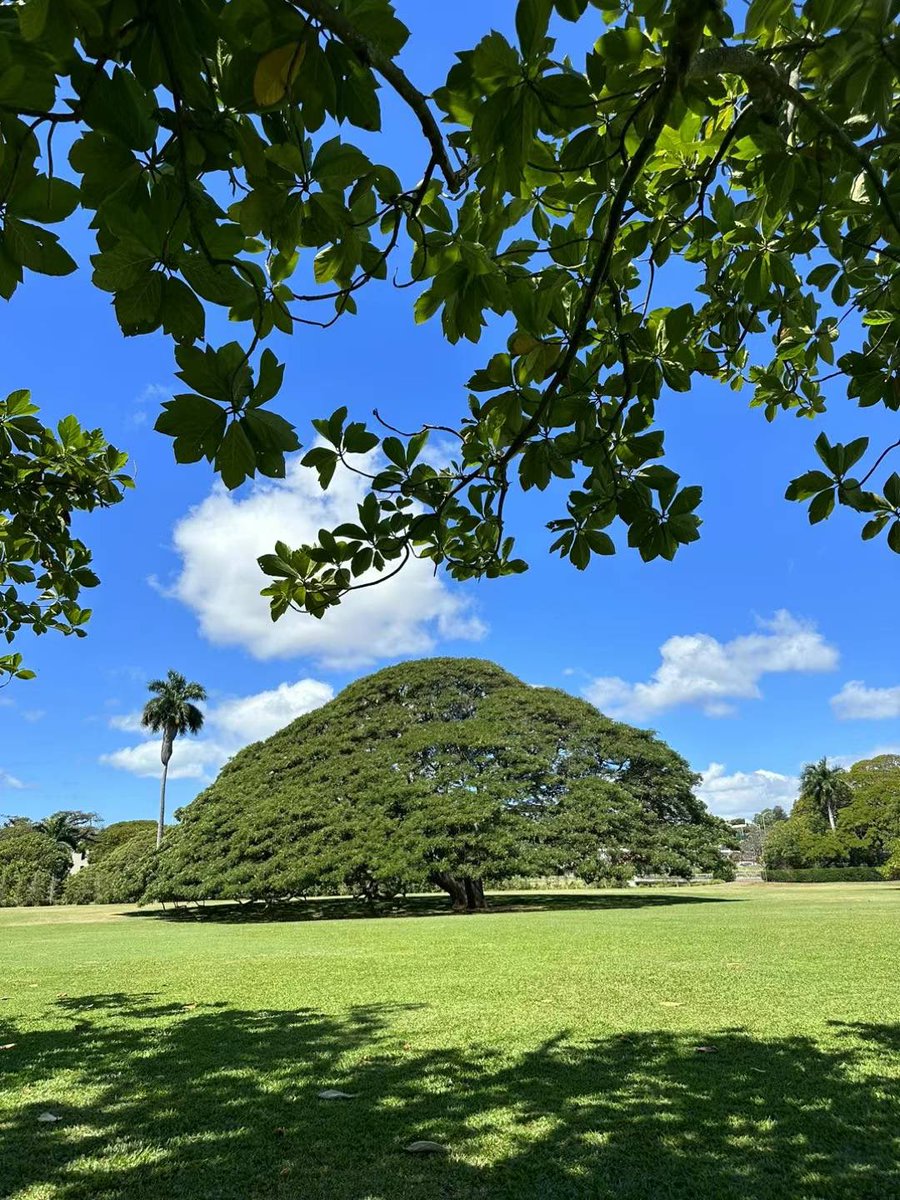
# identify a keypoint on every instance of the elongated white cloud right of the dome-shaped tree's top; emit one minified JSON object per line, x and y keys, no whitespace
{"x":698,"y":669}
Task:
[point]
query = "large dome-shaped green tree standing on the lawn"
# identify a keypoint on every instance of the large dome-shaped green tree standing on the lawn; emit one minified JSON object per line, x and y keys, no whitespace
{"x":440,"y":772}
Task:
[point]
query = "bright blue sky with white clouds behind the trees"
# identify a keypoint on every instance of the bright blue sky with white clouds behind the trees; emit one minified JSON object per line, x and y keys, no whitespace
{"x":764,"y":646}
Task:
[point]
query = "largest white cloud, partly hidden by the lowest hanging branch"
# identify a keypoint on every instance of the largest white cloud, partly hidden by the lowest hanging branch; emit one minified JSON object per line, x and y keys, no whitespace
{"x":219,"y":543}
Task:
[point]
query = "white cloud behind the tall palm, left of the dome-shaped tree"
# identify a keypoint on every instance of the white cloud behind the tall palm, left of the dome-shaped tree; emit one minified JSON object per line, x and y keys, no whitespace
{"x":230,"y":725}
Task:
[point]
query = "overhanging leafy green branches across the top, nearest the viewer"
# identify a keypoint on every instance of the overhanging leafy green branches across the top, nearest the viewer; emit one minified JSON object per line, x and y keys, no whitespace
{"x":227,"y":154}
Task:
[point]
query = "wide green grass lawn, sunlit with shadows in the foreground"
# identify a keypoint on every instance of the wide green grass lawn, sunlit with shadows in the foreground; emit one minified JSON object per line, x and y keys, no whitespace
{"x":553,"y":1051}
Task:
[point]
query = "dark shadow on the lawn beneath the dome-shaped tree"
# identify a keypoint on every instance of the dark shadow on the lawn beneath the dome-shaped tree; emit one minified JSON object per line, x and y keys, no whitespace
{"x":437,"y":905}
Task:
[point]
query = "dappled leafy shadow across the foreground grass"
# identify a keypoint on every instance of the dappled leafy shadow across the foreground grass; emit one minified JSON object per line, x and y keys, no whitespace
{"x":159,"y":1101}
